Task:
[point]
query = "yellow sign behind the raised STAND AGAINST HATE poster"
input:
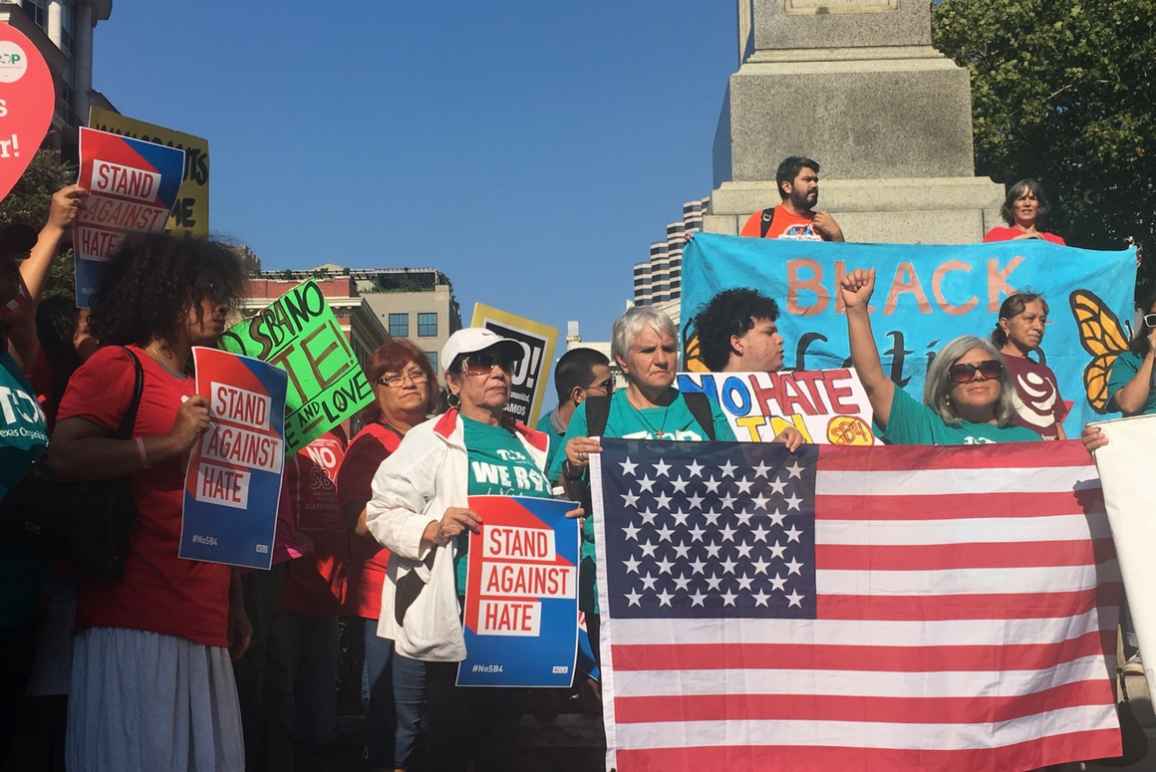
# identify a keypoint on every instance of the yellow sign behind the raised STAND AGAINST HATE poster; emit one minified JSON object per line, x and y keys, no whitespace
{"x":191,"y":212}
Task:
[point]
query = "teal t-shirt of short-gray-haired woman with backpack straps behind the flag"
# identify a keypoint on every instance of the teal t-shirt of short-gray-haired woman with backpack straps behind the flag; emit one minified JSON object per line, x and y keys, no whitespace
{"x":673,"y":422}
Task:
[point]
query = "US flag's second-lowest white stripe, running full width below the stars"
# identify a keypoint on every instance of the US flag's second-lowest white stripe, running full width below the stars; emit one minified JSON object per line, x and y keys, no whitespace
{"x":876,"y":684}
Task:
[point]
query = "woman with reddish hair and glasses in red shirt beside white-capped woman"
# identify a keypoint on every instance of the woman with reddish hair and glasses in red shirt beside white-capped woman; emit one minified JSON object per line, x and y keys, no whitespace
{"x":406,"y":390}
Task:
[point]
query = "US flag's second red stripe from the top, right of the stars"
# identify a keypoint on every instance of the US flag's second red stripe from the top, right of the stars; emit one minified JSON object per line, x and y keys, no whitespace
{"x":950,"y":507}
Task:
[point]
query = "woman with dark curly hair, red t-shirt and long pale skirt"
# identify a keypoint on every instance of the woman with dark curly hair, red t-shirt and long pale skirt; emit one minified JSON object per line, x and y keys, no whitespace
{"x":152,"y":685}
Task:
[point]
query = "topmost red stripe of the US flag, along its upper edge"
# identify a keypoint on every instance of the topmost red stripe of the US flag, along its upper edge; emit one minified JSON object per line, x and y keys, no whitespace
{"x":898,"y":458}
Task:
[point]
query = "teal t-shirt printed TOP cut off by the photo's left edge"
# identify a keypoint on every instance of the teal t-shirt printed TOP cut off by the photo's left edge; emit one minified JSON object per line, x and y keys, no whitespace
{"x":24,"y":439}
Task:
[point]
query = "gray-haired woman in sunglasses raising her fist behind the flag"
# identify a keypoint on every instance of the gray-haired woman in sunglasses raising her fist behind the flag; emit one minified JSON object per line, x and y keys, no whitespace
{"x":968,"y":398}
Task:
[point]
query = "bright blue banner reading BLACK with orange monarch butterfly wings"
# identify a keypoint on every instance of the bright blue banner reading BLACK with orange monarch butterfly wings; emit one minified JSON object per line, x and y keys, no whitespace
{"x":925,"y":296}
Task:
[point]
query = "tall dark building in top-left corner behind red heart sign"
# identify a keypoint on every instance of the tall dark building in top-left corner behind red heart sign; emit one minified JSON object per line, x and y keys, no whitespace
{"x":63,"y":32}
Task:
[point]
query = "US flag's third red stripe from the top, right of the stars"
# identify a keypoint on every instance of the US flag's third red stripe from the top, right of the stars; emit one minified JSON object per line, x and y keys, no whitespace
{"x":939,"y":558}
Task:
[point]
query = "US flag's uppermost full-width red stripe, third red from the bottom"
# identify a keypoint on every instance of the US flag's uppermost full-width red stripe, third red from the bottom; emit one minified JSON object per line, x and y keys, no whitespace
{"x":831,"y":657}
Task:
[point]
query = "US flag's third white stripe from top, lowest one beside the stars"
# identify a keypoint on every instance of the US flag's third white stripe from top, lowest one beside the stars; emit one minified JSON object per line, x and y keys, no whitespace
{"x":967,"y":582}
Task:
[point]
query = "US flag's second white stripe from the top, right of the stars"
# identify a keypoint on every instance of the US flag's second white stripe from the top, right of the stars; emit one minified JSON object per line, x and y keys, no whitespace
{"x":966,"y":531}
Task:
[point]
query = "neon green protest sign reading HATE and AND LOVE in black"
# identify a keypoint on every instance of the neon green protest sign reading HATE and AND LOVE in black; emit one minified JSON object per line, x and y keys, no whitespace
{"x":300,"y":335}
